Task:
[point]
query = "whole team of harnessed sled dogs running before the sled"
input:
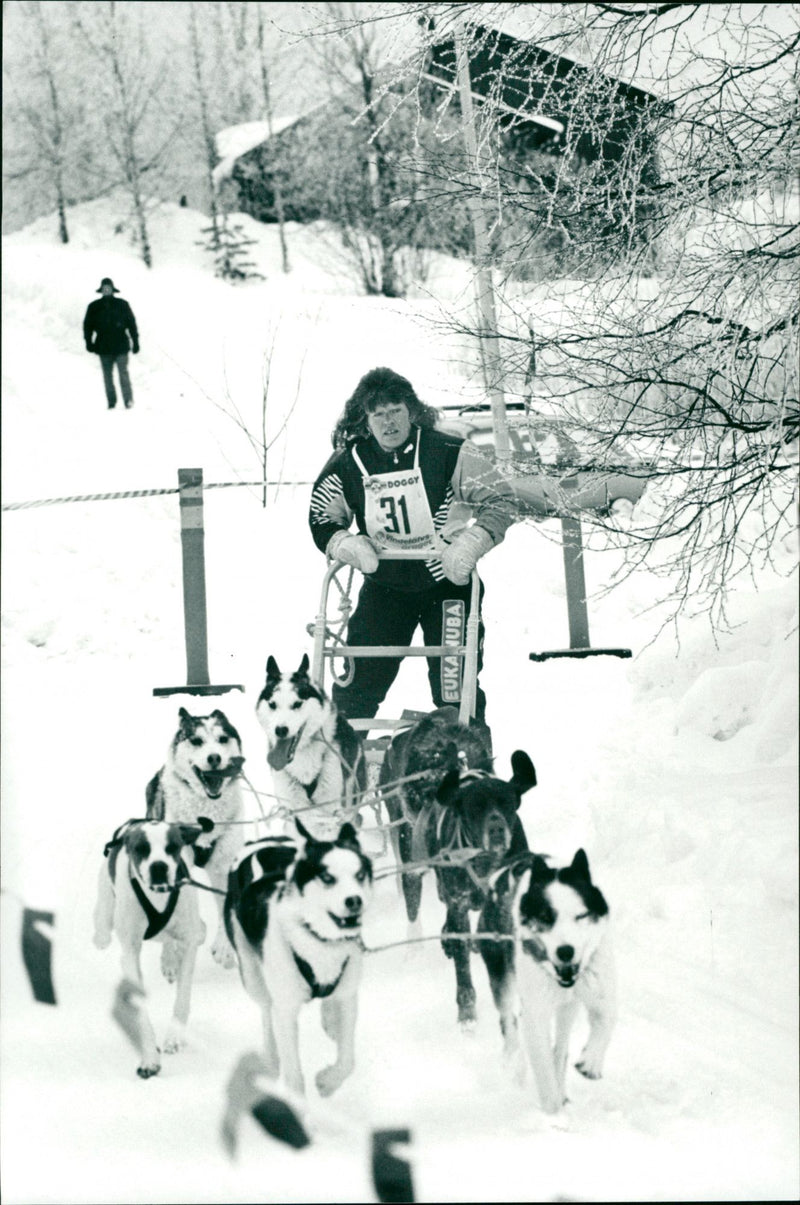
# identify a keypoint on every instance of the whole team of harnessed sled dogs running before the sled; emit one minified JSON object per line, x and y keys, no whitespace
{"x":291,"y":908}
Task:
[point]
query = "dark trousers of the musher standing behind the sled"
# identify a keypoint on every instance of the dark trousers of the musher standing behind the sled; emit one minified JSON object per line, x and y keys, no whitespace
{"x":385,"y":616}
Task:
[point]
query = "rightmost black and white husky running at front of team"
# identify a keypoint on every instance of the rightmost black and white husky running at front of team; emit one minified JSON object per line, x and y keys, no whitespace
{"x":561,"y":959}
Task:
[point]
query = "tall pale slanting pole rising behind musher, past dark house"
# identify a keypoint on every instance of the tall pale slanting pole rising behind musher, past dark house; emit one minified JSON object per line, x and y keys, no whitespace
{"x":485,"y":287}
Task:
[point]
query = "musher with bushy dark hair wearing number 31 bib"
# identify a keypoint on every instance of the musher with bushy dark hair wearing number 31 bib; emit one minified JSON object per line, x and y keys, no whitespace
{"x":408,"y":486}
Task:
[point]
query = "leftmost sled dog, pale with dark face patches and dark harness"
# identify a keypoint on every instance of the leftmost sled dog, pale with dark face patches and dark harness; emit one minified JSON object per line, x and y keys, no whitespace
{"x":140,"y":897}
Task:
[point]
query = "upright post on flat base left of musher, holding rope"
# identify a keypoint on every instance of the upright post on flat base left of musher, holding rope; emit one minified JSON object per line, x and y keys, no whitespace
{"x":196,"y":628}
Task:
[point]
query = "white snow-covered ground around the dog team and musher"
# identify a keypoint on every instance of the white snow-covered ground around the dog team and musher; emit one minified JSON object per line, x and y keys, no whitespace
{"x":677,"y":771}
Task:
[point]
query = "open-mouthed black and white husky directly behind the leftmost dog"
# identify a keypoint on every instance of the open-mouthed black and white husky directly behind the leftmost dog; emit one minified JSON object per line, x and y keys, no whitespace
{"x":202,"y":778}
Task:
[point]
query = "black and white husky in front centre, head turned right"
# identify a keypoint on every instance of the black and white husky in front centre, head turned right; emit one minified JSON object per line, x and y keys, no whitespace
{"x":293,"y":914}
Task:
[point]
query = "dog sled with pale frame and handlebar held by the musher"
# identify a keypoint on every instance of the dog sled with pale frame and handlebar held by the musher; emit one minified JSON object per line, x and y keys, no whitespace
{"x":334,"y":659}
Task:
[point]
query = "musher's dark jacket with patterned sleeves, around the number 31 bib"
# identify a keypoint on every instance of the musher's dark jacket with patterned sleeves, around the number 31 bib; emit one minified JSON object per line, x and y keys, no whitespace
{"x":460,"y":483}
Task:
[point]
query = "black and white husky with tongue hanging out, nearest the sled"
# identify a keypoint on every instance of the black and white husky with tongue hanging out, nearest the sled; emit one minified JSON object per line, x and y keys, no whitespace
{"x":316,"y":757}
